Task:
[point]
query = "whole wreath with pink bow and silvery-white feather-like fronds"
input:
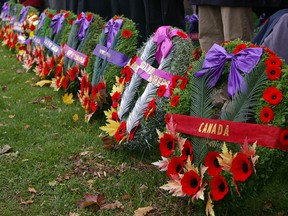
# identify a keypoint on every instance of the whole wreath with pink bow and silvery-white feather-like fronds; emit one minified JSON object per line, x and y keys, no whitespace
{"x":133,"y":121}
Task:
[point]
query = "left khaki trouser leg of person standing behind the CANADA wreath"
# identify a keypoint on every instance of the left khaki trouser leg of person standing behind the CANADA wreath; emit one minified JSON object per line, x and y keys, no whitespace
{"x":210,"y":27}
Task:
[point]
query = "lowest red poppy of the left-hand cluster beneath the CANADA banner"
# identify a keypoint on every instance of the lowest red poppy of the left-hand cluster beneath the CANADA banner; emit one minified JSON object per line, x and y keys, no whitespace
{"x":190,"y":183}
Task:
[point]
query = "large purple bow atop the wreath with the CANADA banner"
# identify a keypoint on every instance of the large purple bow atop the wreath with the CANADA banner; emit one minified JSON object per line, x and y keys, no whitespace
{"x":215,"y":60}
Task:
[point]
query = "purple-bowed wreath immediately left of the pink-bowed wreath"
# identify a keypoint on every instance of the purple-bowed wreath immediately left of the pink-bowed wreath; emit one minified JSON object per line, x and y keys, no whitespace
{"x":119,"y":35}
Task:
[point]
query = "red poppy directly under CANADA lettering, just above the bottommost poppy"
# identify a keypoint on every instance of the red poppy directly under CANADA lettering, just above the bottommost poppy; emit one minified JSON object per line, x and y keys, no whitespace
{"x":211,"y":161}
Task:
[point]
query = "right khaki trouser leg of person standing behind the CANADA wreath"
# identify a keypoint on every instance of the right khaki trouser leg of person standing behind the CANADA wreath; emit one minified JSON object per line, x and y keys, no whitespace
{"x":237,"y":23}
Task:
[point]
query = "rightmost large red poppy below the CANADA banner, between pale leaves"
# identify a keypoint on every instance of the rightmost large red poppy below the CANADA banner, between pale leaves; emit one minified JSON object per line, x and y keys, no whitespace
{"x":241,"y":167}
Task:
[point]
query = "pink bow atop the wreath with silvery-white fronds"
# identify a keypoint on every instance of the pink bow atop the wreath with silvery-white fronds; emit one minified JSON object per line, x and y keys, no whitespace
{"x":164,"y":44}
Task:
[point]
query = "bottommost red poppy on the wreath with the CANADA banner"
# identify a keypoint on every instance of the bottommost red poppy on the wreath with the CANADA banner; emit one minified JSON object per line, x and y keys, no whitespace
{"x":219,"y":187}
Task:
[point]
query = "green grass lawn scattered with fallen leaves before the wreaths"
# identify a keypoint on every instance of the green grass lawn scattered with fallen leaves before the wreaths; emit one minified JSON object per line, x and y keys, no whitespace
{"x":63,"y":160}
